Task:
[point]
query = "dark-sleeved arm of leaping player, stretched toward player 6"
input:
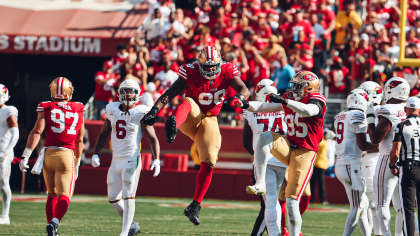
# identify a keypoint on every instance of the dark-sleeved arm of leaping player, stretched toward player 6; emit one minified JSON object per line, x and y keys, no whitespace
{"x":176,"y":89}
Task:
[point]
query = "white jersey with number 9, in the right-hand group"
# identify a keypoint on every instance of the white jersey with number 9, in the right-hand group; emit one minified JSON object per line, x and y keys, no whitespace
{"x":347,"y":150}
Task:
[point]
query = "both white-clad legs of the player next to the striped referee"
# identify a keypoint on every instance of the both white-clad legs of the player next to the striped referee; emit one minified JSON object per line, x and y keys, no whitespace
{"x":386,"y":188}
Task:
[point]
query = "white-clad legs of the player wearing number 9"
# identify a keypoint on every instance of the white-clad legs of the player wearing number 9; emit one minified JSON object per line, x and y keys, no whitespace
{"x":358,"y":203}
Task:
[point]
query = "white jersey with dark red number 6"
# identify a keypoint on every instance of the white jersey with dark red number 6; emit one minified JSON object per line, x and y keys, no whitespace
{"x":126,"y":129}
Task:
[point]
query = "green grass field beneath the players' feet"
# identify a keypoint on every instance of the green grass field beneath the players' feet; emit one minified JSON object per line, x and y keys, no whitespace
{"x":93,"y":215}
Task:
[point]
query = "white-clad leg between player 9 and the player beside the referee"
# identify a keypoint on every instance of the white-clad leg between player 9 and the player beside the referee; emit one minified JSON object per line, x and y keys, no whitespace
{"x":369,"y":162}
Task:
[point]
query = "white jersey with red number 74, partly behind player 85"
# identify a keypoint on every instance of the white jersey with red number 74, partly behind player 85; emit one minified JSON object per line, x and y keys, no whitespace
{"x":261,"y":122}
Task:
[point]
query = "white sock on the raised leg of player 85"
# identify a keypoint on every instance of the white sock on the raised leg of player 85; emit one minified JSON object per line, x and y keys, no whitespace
{"x":264,"y":146}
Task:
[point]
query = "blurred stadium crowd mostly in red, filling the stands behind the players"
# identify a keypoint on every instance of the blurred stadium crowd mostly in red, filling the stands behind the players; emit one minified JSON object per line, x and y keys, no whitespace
{"x":340,"y":41}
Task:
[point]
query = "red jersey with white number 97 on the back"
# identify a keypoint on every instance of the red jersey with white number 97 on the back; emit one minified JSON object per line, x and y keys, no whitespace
{"x":63,"y":122}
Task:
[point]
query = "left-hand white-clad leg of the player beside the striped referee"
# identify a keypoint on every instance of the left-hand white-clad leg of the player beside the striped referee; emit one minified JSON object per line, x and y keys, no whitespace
{"x":384,"y":184}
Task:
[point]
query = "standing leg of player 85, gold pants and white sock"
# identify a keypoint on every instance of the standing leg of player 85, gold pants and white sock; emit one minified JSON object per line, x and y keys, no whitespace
{"x":301,"y":163}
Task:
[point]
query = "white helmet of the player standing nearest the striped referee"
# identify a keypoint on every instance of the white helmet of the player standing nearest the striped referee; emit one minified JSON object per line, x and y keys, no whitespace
{"x":397,"y":88}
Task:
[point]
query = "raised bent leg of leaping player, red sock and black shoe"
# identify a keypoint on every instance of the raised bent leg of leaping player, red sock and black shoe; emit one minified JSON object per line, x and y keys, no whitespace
{"x":186,"y":109}
